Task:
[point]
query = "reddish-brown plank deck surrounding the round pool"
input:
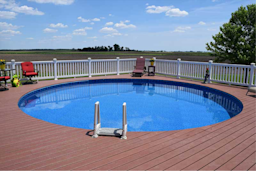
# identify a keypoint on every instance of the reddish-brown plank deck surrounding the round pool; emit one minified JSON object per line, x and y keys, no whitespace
{"x":27,"y":143}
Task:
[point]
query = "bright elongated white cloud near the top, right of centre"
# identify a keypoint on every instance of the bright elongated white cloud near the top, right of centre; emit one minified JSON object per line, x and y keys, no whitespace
{"x":168,"y":10}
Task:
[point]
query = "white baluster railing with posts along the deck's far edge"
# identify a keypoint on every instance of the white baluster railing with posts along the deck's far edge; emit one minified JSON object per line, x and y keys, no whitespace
{"x":244,"y":75}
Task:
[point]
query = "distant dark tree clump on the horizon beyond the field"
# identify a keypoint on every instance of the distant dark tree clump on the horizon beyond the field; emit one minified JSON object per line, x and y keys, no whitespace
{"x":115,"y":47}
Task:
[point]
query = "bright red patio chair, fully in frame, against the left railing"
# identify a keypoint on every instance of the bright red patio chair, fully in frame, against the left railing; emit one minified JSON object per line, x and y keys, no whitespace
{"x":28,"y":71}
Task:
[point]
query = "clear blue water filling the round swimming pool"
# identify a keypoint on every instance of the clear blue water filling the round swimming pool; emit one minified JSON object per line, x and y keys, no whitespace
{"x":152,"y":105}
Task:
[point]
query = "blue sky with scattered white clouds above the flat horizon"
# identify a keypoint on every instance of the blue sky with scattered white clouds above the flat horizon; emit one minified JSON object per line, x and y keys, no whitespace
{"x":169,"y":25}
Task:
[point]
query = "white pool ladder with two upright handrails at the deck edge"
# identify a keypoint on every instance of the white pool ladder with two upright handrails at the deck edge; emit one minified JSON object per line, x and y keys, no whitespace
{"x":109,"y":131}
